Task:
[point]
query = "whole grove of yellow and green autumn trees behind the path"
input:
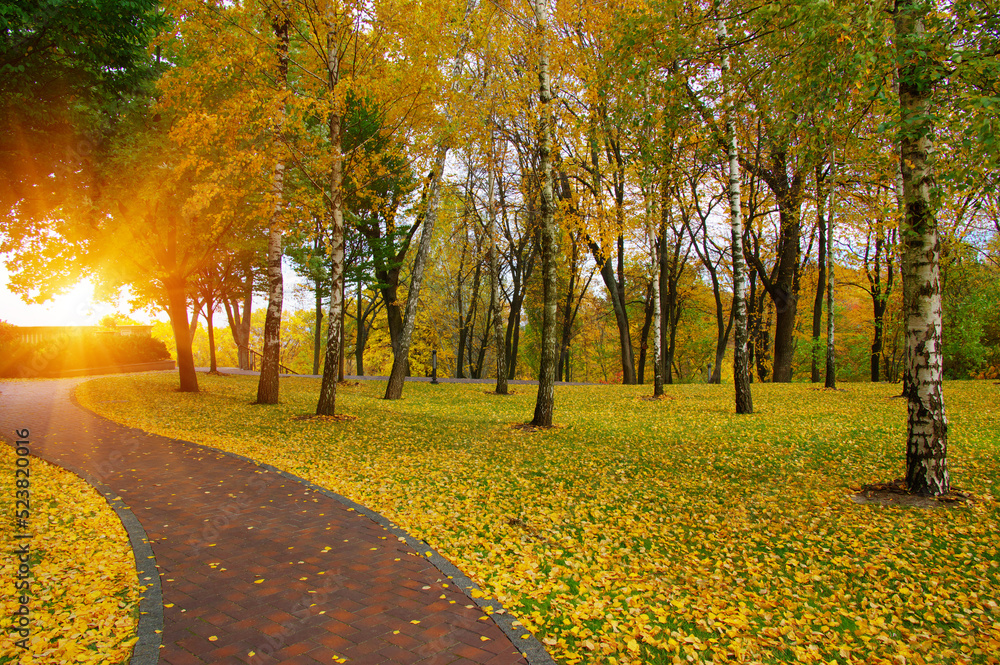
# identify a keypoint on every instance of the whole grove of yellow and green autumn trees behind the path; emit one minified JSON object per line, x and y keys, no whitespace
{"x":626,"y":192}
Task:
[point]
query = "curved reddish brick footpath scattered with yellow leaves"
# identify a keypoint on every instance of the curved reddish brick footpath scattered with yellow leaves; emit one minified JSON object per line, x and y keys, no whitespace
{"x":257,"y":566}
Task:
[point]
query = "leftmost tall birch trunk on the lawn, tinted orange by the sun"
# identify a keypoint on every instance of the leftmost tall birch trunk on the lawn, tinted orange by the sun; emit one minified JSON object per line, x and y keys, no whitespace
{"x":267,"y":386}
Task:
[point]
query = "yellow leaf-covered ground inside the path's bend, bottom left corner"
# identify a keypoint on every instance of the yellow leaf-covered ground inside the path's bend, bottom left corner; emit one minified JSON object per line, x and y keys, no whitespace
{"x":84,"y":595}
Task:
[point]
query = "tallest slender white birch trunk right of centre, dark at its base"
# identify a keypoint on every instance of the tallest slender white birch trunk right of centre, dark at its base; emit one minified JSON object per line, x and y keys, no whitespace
{"x":741,"y":366}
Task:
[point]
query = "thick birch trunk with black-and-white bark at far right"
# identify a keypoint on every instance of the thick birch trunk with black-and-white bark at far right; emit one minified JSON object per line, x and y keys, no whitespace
{"x":927,"y":425}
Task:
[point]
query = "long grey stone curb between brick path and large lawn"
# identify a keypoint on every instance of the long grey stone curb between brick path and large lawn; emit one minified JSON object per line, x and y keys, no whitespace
{"x":530,"y":647}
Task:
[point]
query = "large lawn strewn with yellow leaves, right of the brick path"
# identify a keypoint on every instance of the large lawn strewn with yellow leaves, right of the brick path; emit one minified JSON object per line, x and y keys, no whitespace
{"x":643,"y":531}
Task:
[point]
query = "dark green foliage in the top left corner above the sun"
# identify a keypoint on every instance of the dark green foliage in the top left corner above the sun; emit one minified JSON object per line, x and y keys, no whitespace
{"x":64,"y":69}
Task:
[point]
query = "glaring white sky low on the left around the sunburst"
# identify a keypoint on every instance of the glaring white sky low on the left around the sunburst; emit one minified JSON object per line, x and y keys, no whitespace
{"x":77,"y":307}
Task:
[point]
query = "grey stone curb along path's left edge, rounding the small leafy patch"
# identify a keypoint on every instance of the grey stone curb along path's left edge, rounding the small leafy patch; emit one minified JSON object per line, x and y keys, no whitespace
{"x":149,"y":628}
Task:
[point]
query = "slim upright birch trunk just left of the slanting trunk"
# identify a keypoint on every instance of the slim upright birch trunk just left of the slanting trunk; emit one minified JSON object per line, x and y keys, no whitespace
{"x":326,"y":405}
